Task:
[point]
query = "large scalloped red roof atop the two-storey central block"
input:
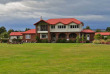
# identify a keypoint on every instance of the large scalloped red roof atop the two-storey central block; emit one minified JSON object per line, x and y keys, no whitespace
{"x":61,"y":20}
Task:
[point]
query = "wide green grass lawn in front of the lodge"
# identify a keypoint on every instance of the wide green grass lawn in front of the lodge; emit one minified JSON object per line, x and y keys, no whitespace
{"x":54,"y":59}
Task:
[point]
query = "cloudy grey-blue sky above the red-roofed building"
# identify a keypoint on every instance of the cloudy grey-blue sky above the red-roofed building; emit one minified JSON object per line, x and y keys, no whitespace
{"x":21,"y":14}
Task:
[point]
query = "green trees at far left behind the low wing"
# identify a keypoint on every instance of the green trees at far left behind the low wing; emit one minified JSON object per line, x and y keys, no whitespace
{"x":5,"y":33}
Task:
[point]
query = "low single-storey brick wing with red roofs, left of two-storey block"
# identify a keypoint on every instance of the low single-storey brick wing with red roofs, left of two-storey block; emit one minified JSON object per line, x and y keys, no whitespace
{"x":27,"y":36}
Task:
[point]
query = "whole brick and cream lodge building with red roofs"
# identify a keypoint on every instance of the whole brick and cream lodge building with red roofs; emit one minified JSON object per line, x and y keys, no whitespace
{"x":54,"y":29}
